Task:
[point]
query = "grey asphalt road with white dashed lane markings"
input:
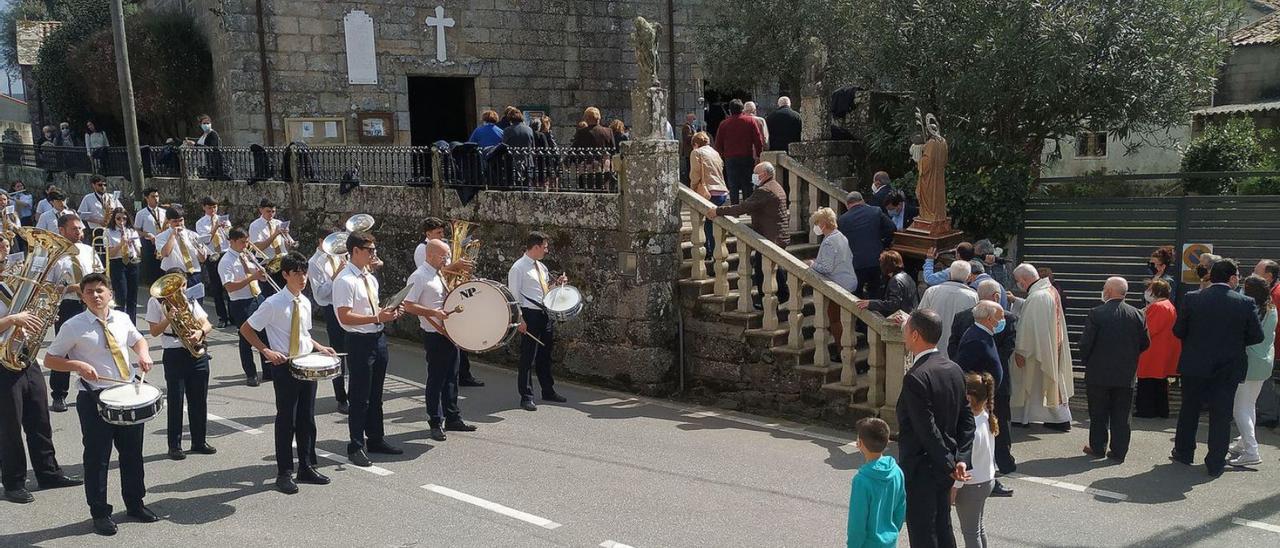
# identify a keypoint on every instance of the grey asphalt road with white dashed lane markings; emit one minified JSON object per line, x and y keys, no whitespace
{"x":614,"y":471}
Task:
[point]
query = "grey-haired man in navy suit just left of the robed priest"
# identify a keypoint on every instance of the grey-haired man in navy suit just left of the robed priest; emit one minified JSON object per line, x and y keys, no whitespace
{"x":1005,"y":342}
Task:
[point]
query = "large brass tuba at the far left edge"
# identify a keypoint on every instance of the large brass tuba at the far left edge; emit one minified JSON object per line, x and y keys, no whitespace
{"x":33,"y":294}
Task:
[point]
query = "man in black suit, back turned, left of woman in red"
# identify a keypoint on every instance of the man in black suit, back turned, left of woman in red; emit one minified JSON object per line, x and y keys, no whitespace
{"x":1116,"y":335}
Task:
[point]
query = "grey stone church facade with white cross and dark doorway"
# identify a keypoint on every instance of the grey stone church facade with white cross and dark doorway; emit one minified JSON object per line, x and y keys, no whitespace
{"x":413,"y":72}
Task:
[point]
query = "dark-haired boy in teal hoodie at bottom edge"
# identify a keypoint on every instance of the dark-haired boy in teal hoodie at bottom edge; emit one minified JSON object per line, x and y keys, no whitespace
{"x":877,"y":503}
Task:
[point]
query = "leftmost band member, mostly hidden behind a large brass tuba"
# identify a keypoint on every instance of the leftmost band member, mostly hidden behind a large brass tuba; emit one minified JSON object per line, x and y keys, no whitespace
{"x":25,"y":408}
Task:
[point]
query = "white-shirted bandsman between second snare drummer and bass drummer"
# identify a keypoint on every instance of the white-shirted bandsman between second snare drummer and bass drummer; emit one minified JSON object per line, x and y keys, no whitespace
{"x":355,"y":300}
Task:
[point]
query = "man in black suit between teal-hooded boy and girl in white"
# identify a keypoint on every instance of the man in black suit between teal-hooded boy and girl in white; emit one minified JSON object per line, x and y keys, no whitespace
{"x":936,"y":433}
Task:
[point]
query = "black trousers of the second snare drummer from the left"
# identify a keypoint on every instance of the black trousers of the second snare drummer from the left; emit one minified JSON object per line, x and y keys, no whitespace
{"x":295,"y":421}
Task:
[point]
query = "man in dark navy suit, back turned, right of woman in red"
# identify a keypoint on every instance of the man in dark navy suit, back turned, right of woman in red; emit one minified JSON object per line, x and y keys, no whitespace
{"x":1217,"y":326}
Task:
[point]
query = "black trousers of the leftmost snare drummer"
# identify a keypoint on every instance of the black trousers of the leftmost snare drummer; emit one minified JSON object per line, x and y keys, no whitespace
{"x":99,"y":437}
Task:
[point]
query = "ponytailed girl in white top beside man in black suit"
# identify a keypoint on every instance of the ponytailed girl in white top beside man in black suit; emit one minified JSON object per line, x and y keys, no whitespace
{"x":971,"y":497}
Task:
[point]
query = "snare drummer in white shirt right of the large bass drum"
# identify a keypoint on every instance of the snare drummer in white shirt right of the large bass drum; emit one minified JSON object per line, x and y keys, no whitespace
{"x":528,"y":281}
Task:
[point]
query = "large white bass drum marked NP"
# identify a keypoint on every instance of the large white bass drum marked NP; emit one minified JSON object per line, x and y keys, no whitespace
{"x":490,"y":317}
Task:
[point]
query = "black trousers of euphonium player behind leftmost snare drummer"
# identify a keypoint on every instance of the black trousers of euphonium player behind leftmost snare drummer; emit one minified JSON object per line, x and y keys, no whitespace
{"x":186,"y":378}
